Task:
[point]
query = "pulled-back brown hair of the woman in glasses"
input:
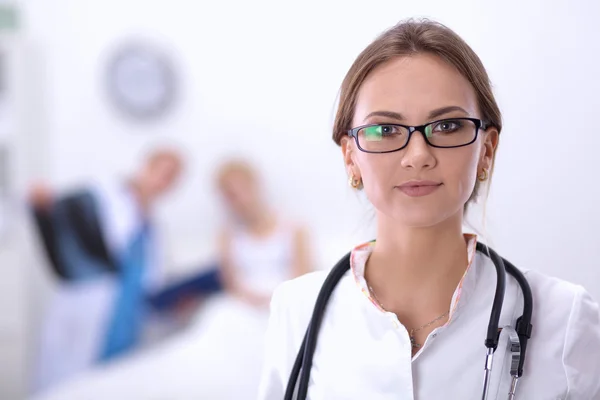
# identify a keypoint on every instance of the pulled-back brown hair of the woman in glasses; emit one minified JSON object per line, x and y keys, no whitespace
{"x":409,"y":38}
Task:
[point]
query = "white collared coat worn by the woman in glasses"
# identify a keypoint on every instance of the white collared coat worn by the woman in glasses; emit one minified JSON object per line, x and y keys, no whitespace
{"x":365,"y":353}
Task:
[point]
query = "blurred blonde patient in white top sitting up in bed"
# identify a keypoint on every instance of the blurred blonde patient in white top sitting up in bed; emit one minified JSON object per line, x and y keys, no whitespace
{"x":259,"y":249}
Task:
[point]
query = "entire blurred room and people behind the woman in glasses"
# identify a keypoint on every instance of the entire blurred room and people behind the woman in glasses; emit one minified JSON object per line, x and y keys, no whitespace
{"x":210,"y":122}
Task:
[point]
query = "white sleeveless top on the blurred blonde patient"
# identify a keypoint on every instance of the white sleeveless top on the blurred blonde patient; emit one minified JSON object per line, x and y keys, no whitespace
{"x":263,"y":263}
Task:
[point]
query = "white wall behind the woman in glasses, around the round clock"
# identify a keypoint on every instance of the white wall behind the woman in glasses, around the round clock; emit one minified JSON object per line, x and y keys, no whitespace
{"x":261,"y":77}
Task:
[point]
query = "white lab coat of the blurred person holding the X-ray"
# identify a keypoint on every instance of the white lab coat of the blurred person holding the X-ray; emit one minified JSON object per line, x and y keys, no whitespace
{"x":76,"y":320}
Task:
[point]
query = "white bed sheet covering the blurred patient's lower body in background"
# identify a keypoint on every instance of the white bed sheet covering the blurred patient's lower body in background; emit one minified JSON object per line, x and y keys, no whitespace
{"x":218,"y":357}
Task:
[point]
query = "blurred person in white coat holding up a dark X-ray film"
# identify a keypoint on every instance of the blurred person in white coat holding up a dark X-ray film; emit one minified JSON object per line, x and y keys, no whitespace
{"x":101,"y":243}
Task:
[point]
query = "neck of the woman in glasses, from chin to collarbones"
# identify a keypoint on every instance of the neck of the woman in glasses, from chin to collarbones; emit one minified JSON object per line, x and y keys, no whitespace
{"x":417,"y":261}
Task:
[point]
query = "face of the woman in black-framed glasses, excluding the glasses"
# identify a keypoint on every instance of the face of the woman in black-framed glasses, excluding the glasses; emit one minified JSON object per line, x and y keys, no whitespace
{"x":414,"y":91}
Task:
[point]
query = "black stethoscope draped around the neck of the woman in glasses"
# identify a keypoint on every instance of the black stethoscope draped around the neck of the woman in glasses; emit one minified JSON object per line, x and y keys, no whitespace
{"x":518,"y":336}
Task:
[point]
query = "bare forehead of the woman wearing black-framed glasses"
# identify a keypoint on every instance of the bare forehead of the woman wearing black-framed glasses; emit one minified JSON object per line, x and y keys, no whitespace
{"x":413,"y":86}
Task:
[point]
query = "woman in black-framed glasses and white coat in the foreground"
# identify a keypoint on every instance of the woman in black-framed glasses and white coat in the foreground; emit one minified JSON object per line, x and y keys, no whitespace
{"x":409,"y":319}
